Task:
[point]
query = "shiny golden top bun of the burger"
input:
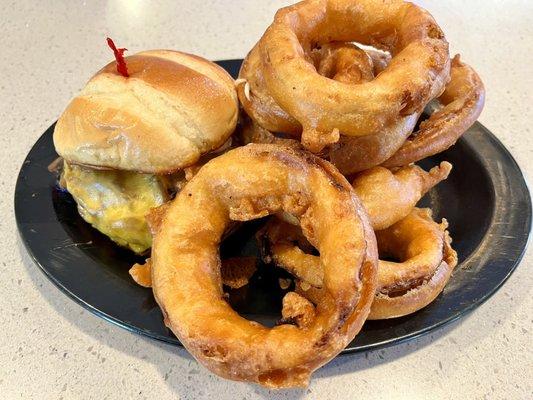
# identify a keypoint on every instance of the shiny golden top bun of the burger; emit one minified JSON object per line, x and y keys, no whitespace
{"x":173,"y":108}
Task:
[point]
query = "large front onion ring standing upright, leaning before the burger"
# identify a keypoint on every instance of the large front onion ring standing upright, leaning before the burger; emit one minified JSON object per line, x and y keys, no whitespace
{"x":247,"y":183}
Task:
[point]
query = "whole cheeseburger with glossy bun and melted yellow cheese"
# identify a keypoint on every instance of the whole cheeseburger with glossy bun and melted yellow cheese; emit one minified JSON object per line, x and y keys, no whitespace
{"x":127,"y":138}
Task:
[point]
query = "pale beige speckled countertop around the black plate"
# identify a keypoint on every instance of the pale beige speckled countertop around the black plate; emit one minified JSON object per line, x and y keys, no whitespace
{"x":52,"y":349}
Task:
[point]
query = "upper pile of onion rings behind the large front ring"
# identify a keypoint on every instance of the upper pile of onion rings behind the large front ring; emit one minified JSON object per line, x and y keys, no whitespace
{"x":306,"y":80}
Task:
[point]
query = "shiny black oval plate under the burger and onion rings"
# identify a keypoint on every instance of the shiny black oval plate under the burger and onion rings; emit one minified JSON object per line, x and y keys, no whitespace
{"x":485,"y":200}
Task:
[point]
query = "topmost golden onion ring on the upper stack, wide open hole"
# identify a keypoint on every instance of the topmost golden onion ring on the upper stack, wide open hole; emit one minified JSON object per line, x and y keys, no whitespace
{"x":416,"y":74}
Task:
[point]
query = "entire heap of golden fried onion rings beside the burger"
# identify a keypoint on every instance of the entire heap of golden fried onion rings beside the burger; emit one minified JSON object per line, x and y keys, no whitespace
{"x":307,"y":87}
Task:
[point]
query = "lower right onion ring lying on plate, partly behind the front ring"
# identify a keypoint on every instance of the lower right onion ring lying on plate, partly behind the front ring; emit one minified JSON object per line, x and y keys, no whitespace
{"x":422,"y":246}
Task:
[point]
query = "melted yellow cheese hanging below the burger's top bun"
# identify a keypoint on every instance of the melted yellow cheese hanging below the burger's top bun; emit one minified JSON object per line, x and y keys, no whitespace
{"x":116,"y":202}
